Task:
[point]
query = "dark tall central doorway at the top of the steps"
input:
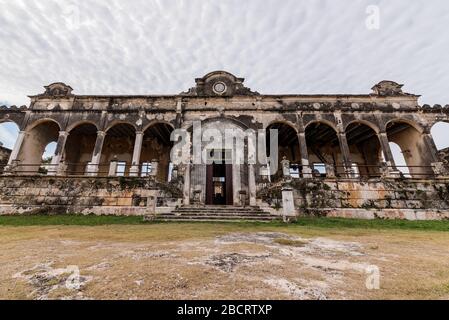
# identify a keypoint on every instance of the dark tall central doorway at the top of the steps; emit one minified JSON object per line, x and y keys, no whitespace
{"x":219,"y":182}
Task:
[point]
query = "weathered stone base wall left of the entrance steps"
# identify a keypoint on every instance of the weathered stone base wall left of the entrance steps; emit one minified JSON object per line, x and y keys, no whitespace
{"x":115,"y":196}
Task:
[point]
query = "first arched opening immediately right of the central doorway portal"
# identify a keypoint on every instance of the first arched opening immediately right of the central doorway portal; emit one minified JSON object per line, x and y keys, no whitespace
{"x":288,"y":147}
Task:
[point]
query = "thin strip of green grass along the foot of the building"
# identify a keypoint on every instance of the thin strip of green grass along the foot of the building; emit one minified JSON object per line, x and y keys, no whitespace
{"x":91,"y":220}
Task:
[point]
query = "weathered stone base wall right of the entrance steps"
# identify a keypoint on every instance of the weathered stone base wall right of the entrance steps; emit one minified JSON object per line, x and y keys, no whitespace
{"x":386,"y":198}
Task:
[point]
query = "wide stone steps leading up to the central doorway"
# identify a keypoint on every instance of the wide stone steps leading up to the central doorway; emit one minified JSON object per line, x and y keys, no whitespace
{"x":215,"y":213}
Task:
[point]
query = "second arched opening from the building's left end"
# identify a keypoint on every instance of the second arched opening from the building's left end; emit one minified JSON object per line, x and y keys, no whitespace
{"x":79,"y":148}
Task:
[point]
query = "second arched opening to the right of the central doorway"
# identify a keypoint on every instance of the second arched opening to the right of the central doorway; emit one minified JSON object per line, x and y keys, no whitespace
{"x":323,"y":147}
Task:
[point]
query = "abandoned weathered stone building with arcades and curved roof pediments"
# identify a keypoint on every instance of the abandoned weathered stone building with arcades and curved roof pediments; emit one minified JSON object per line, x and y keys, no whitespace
{"x":112,"y":154}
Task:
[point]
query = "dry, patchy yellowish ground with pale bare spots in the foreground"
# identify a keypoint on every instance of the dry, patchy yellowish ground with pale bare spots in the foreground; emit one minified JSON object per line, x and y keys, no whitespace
{"x":220,"y":261}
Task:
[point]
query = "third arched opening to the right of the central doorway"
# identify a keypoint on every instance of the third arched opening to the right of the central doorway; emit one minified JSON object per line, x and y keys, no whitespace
{"x":364,"y":146}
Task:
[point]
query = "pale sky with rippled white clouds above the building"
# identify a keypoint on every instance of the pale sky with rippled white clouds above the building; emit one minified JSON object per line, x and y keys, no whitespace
{"x":160,"y":46}
